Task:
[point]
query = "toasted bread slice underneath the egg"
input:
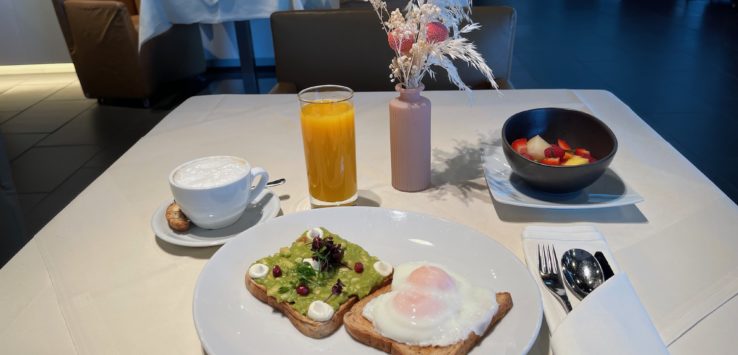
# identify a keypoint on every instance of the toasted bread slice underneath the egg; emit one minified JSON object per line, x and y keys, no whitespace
{"x":363,"y":330}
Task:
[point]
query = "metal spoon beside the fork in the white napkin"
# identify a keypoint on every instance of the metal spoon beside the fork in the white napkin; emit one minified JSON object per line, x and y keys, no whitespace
{"x":581,"y":271}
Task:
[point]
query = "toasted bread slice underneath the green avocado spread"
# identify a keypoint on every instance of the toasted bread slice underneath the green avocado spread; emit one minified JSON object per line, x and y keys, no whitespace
{"x":304,"y":324}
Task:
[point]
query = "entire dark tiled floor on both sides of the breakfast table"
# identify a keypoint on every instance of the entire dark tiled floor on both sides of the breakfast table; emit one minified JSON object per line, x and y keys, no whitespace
{"x":674,"y":62}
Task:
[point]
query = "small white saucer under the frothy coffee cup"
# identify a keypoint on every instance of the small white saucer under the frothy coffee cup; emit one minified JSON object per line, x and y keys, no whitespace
{"x":266,"y":208}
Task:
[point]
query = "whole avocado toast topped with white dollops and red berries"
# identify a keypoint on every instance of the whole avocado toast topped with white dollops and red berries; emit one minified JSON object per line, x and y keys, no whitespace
{"x":316,"y":280}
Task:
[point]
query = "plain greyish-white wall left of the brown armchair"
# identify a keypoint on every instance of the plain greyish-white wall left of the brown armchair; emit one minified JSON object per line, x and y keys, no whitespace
{"x":30,"y":33}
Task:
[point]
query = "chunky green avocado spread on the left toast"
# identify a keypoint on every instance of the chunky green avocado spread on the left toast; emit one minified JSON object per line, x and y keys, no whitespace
{"x":319,"y":283}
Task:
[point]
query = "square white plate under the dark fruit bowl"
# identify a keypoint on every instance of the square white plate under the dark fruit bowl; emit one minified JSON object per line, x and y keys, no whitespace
{"x":608,"y":191}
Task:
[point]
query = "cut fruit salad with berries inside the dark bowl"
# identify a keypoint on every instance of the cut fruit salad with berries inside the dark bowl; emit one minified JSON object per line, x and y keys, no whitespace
{"x":559,"y":154}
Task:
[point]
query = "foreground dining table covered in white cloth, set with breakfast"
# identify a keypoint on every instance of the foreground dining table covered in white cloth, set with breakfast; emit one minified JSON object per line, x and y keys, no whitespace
{"x":96,"y":279}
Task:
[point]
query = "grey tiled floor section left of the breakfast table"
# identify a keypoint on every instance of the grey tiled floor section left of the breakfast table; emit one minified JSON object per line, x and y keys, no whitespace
{"x":56,"y":142}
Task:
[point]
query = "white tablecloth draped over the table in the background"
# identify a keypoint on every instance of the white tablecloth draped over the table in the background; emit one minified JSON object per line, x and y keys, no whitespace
{"x":157,"y":16}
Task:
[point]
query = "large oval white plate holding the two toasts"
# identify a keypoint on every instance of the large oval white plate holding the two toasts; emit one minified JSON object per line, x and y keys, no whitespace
{"x":229,"y":320}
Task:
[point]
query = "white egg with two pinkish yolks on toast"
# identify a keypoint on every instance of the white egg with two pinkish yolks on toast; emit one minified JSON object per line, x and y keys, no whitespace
{"x":430,"y":305}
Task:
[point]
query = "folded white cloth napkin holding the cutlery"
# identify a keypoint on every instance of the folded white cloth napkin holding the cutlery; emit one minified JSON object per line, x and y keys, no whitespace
{"x":610,"y":320}
